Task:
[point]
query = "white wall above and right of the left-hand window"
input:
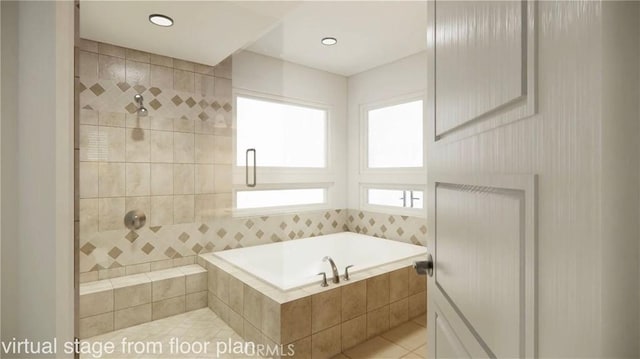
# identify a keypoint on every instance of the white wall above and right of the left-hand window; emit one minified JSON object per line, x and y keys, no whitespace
{"x":274,"y":77}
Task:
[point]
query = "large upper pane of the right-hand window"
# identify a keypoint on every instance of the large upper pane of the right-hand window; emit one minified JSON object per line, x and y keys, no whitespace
{"x":395,"y":137}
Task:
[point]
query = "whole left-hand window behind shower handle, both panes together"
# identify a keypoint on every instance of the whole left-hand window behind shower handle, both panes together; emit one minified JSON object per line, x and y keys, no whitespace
{"x":289,"y":142}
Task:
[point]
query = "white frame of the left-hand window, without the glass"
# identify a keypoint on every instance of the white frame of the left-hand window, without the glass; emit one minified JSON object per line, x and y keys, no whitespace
{"x":274,"y":178}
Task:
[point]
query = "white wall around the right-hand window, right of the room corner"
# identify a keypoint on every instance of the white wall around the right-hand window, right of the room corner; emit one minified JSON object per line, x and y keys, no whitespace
{"x":403,"y":77}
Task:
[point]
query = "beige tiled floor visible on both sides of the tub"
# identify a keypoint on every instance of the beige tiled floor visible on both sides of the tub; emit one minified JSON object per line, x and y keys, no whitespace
{"x":405,"y":341}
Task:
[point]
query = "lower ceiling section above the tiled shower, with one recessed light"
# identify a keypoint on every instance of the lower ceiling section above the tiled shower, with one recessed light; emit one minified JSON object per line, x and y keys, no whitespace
{"x":204,"y":31}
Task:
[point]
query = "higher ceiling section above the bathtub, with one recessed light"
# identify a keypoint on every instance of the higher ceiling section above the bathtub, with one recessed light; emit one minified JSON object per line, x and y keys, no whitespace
{"x":369,"y":34}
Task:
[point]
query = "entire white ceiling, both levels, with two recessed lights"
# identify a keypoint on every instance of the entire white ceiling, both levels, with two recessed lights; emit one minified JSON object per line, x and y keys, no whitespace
{"x":369,"y":33}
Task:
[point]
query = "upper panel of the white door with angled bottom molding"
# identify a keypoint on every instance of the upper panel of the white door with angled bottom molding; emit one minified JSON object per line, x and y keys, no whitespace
{"x":504,"y":92}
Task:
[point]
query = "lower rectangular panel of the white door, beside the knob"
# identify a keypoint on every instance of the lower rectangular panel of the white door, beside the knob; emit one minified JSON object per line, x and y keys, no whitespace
{"x":495,"y":208}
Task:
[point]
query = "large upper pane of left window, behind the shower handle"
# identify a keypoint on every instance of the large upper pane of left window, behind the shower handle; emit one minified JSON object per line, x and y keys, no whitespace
{"x":283,"y":134}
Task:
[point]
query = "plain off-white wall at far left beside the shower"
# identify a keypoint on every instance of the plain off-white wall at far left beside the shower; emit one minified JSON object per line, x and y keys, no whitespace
{"x":37,"y":176}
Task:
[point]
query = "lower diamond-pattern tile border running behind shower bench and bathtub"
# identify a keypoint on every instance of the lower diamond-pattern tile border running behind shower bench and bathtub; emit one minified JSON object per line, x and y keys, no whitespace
{"x":116,"y":253}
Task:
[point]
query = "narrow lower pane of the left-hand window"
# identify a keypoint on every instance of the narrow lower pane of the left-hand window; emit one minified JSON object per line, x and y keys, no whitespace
{"x":279,"y":198}
